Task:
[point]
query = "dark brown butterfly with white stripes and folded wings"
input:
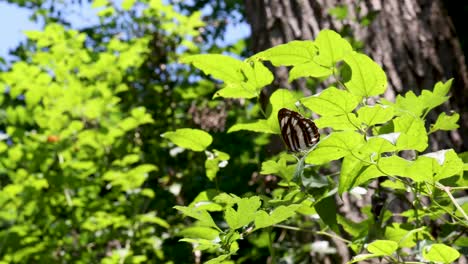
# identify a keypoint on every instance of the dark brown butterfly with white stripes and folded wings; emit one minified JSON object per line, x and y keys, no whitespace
{"x":299,"y":133}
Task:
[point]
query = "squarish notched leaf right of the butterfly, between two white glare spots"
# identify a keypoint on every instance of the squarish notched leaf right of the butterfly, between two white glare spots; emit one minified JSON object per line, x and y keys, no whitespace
{"x":413,"y":133}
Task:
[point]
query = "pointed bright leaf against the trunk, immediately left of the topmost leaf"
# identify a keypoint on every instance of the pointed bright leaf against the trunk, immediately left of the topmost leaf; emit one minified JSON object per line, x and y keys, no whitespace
{"x":292,"y":53}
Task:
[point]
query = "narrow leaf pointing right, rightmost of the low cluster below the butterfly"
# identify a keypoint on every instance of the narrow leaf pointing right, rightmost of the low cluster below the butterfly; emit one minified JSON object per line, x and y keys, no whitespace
{"x":280,"y":214}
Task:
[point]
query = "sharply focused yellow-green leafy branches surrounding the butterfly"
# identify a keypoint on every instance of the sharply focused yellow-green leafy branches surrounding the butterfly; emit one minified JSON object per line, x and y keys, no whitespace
{"x":368,"y":133}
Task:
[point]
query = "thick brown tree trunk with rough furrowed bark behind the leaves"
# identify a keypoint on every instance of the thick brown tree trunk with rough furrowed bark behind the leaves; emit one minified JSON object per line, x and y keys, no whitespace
{"x":413,"y":40}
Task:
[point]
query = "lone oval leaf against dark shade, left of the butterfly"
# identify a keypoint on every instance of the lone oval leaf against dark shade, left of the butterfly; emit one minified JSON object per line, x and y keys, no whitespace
{"x":194,"y":139}
